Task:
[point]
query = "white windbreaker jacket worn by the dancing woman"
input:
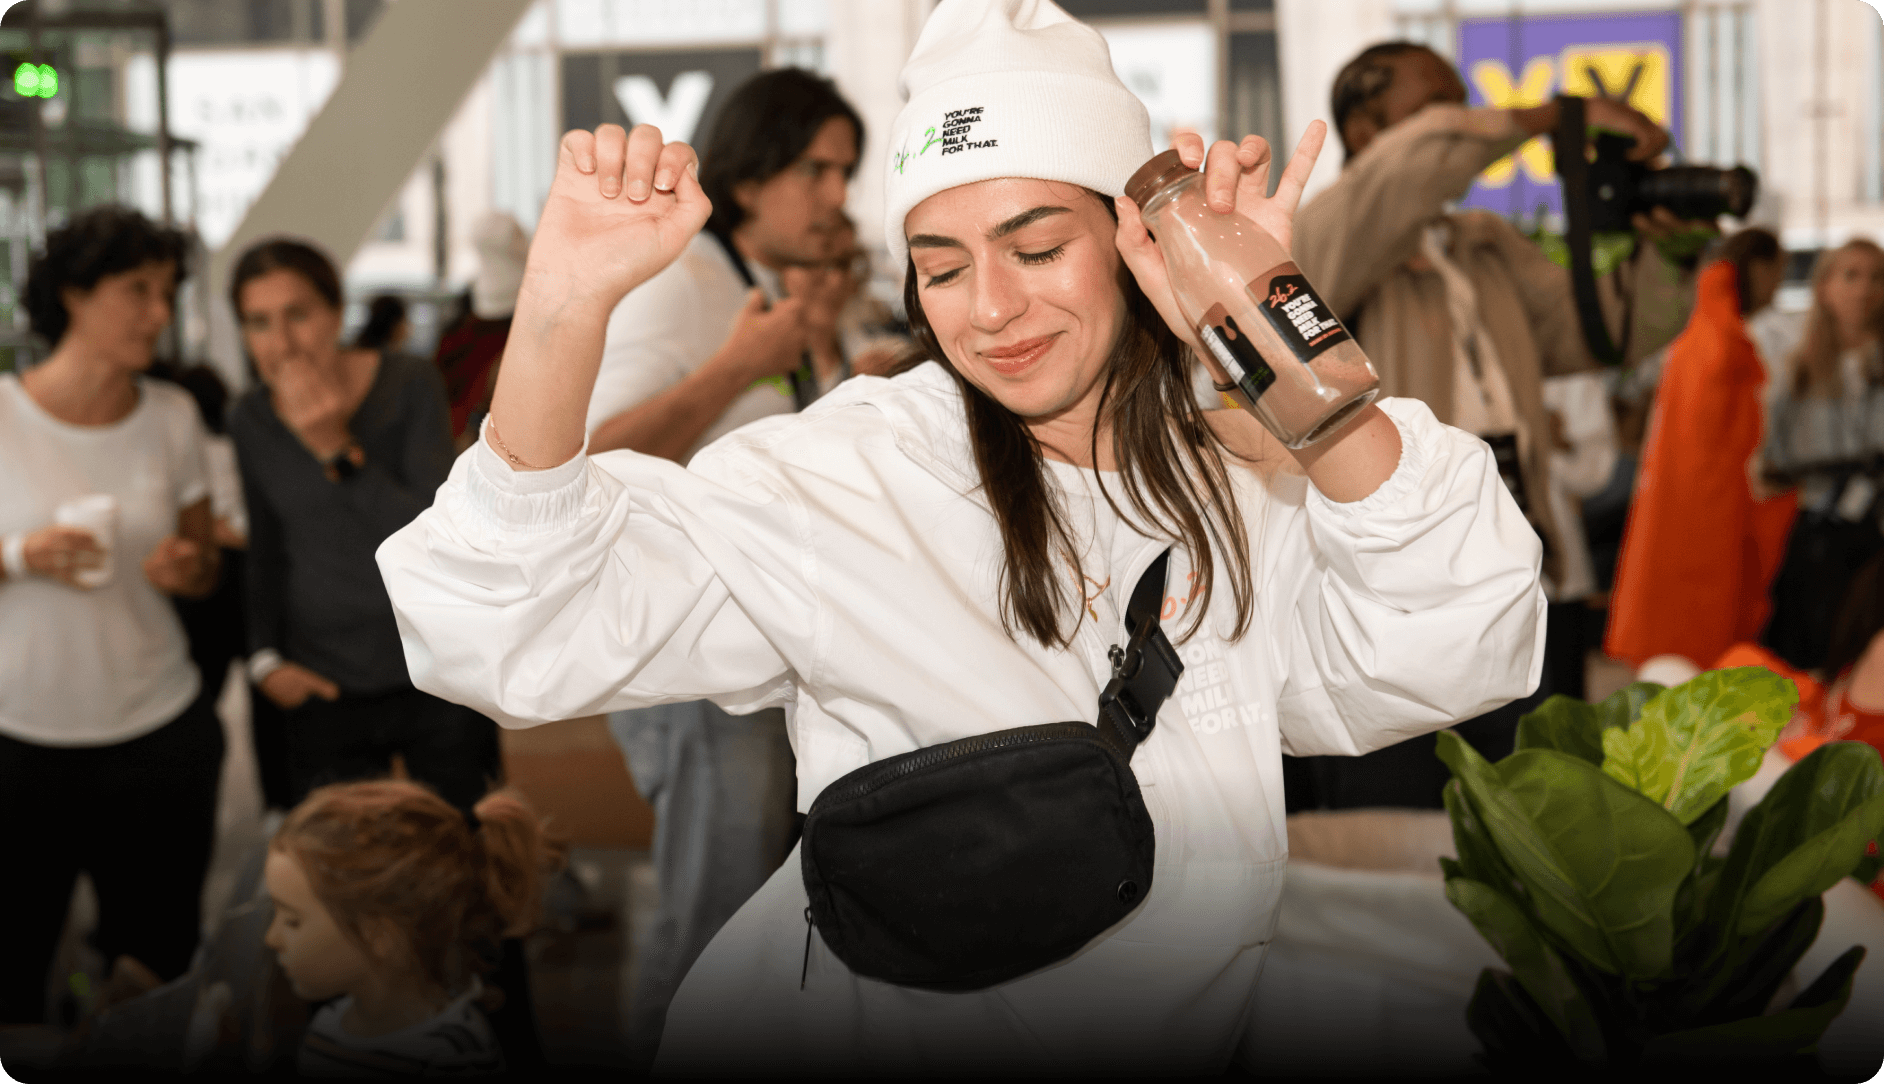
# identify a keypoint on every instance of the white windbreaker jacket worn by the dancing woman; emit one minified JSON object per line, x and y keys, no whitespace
{"x":843,"y":563}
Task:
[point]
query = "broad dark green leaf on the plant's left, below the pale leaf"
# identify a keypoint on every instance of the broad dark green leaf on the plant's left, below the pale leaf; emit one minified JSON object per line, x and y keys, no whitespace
{"x":1600,"y":864}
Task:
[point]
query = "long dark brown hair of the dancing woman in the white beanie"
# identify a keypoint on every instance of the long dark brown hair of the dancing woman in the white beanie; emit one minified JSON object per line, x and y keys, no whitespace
{"x":1171,"y":465}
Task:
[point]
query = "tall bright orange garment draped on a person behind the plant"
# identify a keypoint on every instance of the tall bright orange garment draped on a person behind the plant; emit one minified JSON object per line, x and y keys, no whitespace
{"x":1700,"y":551}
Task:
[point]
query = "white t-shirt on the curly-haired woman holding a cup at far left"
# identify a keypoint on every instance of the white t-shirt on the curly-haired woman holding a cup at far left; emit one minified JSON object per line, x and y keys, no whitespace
{"x":110,"y":665}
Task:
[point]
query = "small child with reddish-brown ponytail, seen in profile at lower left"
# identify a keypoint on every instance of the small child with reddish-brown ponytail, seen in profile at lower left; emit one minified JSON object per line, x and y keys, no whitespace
{"x":391,"y":902}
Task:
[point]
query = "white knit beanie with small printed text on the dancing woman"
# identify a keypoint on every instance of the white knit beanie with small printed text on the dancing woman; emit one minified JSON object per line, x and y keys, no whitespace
{"x":1009,"y":90}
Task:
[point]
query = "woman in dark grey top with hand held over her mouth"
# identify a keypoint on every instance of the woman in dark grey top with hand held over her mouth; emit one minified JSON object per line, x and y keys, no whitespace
{"x":340,"y":448}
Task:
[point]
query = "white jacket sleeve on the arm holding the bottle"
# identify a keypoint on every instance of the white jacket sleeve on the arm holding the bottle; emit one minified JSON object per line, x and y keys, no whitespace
{"x":1414,"y":608}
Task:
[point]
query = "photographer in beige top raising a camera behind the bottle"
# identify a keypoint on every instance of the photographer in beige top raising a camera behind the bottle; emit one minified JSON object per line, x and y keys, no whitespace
{"x":1463,"y":312}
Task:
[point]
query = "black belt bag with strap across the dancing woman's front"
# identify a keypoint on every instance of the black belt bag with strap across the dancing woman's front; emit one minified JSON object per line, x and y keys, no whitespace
{"x":967,"y":864}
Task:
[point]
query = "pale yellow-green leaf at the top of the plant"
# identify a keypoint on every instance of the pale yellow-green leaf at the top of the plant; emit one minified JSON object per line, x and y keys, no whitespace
{"x":1698,"y":740}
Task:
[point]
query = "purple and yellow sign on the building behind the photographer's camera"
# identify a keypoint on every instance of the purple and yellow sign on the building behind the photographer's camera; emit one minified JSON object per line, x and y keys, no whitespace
{"x":1527,"y":61}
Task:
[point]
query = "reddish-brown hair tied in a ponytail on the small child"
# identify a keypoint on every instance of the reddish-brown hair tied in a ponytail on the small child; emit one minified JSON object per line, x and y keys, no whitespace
{"x":398,"y":853}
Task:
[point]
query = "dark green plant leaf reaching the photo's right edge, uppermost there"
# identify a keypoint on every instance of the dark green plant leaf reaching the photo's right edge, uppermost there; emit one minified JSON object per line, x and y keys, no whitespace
{"x":1808,"y":834}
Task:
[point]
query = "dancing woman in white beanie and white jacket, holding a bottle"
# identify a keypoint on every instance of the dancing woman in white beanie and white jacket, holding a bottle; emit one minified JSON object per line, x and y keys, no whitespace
{"x":949,"y":553}
